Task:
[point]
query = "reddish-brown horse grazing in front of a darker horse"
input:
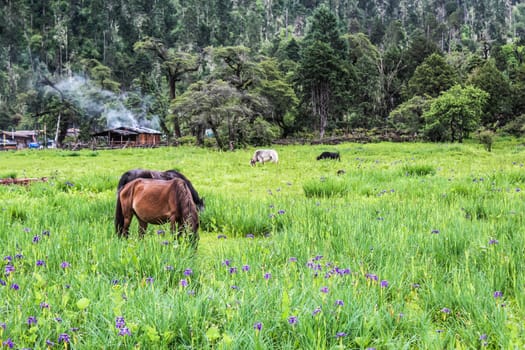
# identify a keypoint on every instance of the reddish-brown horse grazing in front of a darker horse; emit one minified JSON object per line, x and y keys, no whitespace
{"x":157,"y":202}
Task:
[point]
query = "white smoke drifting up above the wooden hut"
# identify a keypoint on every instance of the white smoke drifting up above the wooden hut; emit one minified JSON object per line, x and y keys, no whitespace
{"x":96,"y":102}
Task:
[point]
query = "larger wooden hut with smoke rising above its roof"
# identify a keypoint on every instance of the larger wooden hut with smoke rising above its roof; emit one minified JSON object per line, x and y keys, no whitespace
{"x":124,"y":136}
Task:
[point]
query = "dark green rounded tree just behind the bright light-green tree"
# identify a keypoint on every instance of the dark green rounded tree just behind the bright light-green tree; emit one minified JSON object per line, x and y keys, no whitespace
{"x":431,"y":77}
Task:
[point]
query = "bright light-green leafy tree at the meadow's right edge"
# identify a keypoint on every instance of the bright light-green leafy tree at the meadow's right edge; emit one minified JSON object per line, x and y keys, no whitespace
{"x":455,"y":113}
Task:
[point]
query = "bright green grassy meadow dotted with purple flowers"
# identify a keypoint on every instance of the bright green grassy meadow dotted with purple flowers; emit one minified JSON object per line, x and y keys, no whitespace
{"x":414,"y":246}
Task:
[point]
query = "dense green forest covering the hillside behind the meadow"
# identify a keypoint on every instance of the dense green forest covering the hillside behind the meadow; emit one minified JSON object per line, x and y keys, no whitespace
{"x":255,"y":71}
